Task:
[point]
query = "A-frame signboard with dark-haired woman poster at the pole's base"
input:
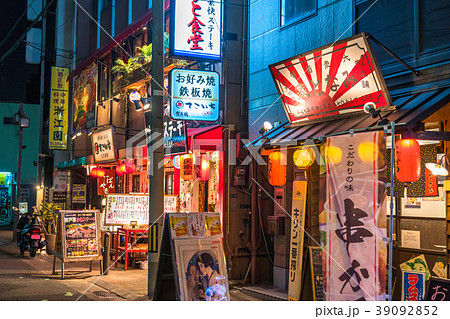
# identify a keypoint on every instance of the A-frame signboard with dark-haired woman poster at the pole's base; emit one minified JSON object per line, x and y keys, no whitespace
{"x":192,"y":251}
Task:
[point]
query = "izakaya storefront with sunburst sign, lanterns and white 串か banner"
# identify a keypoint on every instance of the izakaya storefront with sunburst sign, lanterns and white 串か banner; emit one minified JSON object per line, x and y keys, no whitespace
{"x":340,"y":231}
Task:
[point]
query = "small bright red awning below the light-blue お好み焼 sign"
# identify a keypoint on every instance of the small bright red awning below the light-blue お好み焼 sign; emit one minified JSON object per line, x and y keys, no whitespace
{"x":208,"y":138}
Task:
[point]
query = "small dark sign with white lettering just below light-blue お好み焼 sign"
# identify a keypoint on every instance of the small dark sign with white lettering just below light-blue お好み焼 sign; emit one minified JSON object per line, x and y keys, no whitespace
{"x":174,"y":135}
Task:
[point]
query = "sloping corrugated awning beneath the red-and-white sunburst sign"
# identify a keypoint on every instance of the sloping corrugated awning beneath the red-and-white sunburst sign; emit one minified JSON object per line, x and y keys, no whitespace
{"x":411,"y":107}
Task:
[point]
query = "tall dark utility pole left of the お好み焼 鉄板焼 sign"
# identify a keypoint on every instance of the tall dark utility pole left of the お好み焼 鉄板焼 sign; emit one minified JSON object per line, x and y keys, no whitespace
{"x":156,"y":187}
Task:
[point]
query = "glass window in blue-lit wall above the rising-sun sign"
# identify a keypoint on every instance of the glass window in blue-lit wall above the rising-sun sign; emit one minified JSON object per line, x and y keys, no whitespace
{"x":295,"y":10}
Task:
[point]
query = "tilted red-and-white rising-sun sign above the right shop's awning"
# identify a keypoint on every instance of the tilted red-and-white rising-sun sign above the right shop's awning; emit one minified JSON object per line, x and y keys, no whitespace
{"x":335,"y":79}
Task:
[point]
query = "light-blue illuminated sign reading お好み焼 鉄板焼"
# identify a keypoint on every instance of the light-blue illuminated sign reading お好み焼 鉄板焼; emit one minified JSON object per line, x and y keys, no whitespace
{"x":194,"y":95}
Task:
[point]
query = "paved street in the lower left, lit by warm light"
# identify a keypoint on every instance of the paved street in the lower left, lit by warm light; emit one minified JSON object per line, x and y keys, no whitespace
{"x":26,"y":278}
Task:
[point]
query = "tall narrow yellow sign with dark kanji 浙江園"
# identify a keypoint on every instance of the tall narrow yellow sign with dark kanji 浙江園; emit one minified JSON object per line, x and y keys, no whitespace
{"x":59,"y":105}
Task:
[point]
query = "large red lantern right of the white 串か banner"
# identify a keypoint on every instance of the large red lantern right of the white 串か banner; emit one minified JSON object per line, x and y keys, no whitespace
{"x":407,"y":160}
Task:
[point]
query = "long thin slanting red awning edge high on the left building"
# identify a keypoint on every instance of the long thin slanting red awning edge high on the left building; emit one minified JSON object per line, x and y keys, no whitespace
{"x":117,"y":39}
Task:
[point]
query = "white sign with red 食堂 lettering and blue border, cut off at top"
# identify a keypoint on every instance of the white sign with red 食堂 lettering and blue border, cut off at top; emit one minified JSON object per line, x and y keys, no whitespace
{"x":196,"y":29}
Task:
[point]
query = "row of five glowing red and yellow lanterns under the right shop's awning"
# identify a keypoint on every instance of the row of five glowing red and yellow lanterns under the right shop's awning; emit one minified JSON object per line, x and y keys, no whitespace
{"x":407,"y":160}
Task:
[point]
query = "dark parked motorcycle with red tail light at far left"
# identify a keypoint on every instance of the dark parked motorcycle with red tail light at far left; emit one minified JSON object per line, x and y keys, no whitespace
{"x":29,"y":235}
